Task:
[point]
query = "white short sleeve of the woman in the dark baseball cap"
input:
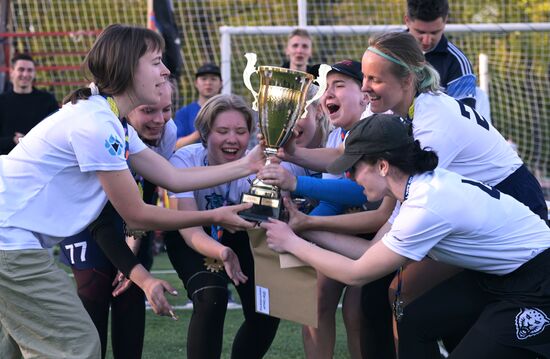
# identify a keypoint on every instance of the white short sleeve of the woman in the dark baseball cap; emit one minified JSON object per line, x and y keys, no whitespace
{"x":415,"y":231}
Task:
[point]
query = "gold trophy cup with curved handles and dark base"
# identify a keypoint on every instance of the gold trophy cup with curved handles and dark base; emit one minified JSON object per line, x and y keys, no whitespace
{"x":280,"y":102}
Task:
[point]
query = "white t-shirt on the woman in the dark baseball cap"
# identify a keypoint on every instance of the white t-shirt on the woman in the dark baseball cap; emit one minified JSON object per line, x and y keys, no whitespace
{"x":462,"y":222}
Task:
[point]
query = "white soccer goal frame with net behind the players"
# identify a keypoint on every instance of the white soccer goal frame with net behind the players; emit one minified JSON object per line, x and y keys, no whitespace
{"x":514,"y":69}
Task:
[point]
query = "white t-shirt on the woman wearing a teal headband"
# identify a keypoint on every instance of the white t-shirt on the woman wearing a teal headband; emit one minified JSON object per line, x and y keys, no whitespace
{"x":464,"y":142}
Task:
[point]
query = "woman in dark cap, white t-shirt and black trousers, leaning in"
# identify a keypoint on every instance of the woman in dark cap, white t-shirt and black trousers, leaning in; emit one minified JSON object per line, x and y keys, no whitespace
{"x":502,"y":245}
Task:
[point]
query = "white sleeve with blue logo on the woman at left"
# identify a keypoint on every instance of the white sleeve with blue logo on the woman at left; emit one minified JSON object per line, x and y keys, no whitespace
{"x":98,"y":143}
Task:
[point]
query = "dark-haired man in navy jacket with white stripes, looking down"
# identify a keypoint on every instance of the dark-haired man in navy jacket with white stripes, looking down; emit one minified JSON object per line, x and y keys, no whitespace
{"x":426,"y":21}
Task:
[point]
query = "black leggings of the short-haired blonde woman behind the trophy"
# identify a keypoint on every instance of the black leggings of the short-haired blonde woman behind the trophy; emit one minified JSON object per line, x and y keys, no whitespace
{"x":208,"y":291}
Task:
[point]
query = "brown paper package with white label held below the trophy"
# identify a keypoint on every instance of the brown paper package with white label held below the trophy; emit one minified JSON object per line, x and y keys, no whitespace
{"x":286,"y":287}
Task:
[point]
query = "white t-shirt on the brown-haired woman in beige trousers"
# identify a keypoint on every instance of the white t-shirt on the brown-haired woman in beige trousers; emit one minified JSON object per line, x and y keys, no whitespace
{"x":48,"y":186}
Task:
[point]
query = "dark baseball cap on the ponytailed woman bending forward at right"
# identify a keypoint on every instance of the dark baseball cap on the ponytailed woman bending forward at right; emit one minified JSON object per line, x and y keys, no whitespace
{"x":374,"y":134}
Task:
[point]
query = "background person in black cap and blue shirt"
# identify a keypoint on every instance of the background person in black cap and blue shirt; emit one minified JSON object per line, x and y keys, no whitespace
{"x":208,"y":82}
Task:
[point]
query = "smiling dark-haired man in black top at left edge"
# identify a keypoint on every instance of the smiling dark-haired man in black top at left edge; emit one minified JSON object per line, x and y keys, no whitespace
{"x":22,"y":107}
